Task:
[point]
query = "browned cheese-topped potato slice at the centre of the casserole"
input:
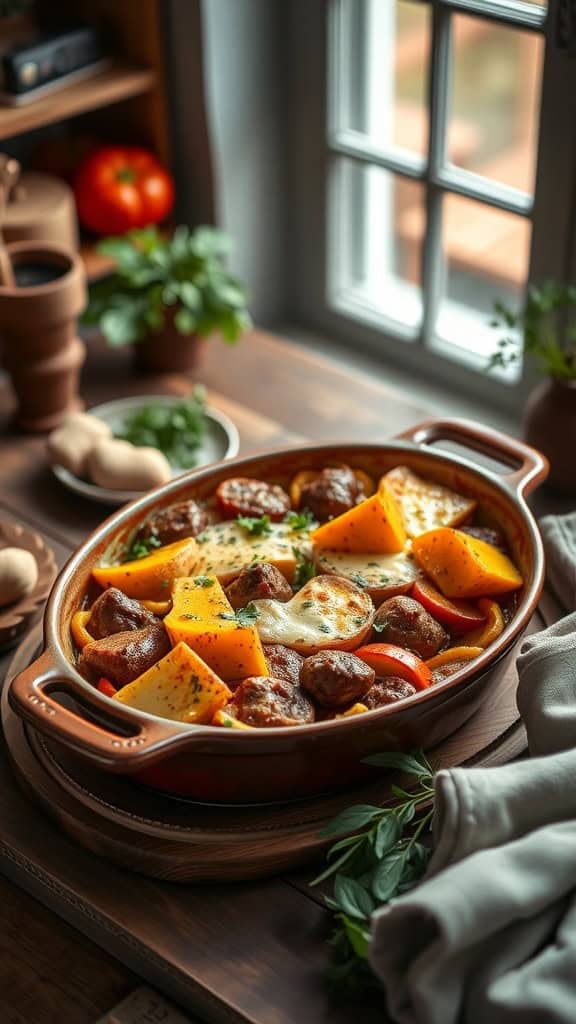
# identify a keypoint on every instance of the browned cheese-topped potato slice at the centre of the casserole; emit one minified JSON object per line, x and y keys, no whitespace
{"x":330,"y":613}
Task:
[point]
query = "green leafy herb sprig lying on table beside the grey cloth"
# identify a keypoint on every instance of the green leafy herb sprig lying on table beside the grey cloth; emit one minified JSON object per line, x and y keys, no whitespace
{"x":380,"y":857}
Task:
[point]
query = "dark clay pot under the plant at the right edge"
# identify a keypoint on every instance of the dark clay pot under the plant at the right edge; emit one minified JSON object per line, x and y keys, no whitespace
{"x":550,"y":424}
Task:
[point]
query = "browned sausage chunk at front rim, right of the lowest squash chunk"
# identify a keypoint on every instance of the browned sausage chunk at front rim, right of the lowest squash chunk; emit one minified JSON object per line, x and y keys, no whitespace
{"x":267,"y":703}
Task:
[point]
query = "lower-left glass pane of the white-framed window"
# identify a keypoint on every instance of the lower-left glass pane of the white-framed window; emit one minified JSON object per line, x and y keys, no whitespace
{"x":376,"y":262}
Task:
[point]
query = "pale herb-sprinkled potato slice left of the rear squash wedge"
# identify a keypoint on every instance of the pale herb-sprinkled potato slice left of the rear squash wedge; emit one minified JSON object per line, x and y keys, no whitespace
{"x":225,"y":549}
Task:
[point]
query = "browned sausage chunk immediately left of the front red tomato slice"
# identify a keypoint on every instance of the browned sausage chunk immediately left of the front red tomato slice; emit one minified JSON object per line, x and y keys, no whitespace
{"x":336,"y":678}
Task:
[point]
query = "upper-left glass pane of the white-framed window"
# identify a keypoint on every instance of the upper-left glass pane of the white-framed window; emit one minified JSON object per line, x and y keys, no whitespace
{"x":383,"y":71}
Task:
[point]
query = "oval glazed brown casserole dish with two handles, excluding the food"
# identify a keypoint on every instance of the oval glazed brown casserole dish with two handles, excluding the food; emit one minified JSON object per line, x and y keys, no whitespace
{"x":230,"y":765}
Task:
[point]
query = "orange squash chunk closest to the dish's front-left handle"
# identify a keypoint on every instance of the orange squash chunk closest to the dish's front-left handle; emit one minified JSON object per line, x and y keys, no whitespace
{"x":181,"y":687}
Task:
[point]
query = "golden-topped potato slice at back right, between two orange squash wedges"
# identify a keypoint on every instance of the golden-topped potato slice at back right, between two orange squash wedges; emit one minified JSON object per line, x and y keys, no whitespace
{"x":426,"y":505}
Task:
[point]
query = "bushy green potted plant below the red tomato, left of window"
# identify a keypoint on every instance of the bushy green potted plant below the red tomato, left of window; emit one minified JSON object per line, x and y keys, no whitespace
{"x":167,"y":294}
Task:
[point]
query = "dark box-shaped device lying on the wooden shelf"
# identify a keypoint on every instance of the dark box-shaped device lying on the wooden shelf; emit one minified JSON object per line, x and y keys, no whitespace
{"x":51,"y":63}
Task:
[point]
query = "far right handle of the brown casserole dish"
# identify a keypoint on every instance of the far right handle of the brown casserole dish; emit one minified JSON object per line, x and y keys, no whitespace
{"x":529,"y":467}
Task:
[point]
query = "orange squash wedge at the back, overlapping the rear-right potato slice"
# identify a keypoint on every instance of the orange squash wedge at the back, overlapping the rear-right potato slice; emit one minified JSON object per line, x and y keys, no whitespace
{"x":374,"y":526}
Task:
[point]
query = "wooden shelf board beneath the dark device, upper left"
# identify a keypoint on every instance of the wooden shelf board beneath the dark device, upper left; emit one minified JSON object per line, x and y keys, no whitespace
{"x":110,"y":87}
